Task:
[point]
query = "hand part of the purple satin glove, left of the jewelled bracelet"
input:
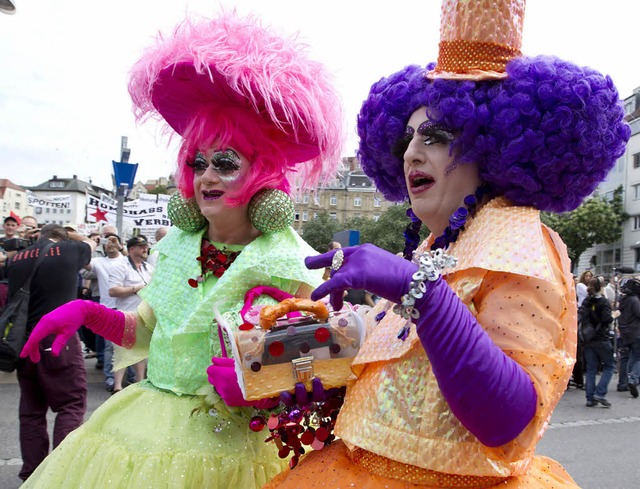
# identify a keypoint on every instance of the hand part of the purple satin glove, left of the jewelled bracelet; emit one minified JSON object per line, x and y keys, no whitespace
{"x":364,"y":267}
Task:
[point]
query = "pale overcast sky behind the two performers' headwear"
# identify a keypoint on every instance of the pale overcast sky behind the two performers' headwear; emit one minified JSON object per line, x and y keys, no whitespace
{"x":63,"y":66}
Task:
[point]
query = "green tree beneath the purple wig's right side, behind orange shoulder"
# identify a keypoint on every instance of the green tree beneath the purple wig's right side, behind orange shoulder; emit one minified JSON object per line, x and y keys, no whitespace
{"x":597,"y":220}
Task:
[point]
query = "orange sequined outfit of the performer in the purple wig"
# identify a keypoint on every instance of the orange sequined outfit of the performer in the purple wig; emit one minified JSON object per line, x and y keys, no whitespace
{"x":396,"y":428}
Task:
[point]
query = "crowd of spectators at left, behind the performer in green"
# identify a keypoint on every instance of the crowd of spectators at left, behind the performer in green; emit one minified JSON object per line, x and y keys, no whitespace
{"x":97,"y":267}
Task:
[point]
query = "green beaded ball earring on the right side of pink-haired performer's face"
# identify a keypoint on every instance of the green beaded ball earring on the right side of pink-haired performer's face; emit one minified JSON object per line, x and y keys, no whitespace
{"x":271,"y":211}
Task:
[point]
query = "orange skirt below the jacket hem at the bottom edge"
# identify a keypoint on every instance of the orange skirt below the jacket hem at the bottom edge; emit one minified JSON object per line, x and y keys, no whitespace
{"x":332,"y":467}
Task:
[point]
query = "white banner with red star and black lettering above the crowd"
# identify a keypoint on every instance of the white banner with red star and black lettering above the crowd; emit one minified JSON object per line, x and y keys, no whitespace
{"x":147,"y":213}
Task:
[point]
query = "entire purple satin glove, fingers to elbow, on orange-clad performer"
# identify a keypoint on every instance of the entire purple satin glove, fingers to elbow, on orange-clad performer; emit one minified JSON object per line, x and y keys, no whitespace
{"x":491,"y":395}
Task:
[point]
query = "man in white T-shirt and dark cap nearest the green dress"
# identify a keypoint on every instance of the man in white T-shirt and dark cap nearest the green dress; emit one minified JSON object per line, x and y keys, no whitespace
{"x":126,"y":279}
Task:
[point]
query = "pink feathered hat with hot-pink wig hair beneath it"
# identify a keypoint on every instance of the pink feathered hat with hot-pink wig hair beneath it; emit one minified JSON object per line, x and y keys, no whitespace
{"x":232,"y":82}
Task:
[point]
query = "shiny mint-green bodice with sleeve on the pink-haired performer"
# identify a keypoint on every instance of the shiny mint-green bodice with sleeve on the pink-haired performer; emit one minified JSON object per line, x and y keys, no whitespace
{"x":185,"y":335}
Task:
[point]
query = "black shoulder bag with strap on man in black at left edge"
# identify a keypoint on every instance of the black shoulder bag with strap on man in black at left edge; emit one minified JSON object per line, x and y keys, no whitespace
{"x":13,"y":321}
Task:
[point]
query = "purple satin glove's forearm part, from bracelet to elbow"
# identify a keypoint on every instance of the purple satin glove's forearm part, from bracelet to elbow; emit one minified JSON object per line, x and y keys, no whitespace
{"x":491,"y":394}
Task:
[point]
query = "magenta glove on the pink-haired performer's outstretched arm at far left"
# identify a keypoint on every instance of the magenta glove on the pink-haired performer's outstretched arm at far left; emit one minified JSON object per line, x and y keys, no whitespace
{"x":65,"y":320}
